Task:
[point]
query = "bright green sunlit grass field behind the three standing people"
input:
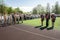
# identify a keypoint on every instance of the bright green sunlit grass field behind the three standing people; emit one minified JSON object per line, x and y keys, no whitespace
{"x":37,"y":22}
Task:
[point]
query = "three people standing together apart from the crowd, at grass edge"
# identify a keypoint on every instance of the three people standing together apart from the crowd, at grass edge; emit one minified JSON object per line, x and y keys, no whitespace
{"x":47,"y":17}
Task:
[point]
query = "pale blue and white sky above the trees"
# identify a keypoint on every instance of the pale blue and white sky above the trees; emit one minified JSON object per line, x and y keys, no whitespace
{"x":28,"y":5}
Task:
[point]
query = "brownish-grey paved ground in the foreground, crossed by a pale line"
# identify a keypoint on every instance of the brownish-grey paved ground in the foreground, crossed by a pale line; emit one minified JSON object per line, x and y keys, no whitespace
{"x":24,"y":32}
